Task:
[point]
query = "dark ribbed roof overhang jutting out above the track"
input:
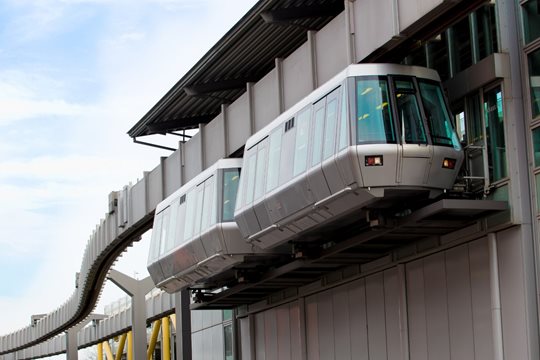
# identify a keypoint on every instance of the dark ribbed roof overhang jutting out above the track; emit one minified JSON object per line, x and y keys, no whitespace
{"x":245,"y":54}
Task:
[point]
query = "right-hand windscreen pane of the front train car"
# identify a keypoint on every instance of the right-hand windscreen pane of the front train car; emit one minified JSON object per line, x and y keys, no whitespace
{"x":442,"y":131}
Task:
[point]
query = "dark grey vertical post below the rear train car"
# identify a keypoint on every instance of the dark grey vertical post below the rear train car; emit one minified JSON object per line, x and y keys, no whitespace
{"x":183,"y":325}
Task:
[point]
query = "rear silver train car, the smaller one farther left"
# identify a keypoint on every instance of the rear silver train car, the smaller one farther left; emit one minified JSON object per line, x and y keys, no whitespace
{"x":194,"y":238}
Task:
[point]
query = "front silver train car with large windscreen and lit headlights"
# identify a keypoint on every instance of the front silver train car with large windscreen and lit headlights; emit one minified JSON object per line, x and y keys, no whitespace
{"x":375,"y":136}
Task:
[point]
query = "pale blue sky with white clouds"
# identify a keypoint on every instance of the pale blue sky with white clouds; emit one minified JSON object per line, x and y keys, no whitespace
{"x":75,"y":76}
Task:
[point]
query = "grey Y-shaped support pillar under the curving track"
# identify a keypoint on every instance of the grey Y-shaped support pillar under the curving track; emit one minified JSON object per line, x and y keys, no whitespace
{"x":137,"y":289}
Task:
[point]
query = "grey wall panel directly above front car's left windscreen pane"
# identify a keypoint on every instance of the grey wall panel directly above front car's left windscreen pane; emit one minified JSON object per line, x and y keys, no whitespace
{"x":373,"y":24}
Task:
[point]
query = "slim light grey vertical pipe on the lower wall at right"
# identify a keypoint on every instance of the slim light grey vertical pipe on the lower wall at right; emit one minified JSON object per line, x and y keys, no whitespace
{"x":496,"y":319}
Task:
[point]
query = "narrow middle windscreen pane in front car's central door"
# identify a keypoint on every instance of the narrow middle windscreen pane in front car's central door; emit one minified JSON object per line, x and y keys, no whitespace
{"x":410,"y":121}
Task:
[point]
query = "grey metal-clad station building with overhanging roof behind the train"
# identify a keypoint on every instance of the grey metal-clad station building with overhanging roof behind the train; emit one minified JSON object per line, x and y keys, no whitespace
{"x":461,"y":290}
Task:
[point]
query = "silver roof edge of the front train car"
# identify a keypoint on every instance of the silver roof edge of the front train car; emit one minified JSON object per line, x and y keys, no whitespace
{"x":351,"y":70}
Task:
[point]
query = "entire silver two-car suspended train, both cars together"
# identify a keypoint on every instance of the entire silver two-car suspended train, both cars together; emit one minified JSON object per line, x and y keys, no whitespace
{"x":375,"y":136}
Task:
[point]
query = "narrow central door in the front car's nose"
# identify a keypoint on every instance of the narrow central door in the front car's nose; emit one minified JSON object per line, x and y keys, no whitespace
{"x":415,"y":152}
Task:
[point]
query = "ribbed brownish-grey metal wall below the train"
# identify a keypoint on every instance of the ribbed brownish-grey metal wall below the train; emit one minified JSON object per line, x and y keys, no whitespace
{"x":437,"y":307}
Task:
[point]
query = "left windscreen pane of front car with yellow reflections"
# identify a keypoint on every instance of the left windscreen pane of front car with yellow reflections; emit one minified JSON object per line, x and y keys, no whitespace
{"x":373,"y":115}
